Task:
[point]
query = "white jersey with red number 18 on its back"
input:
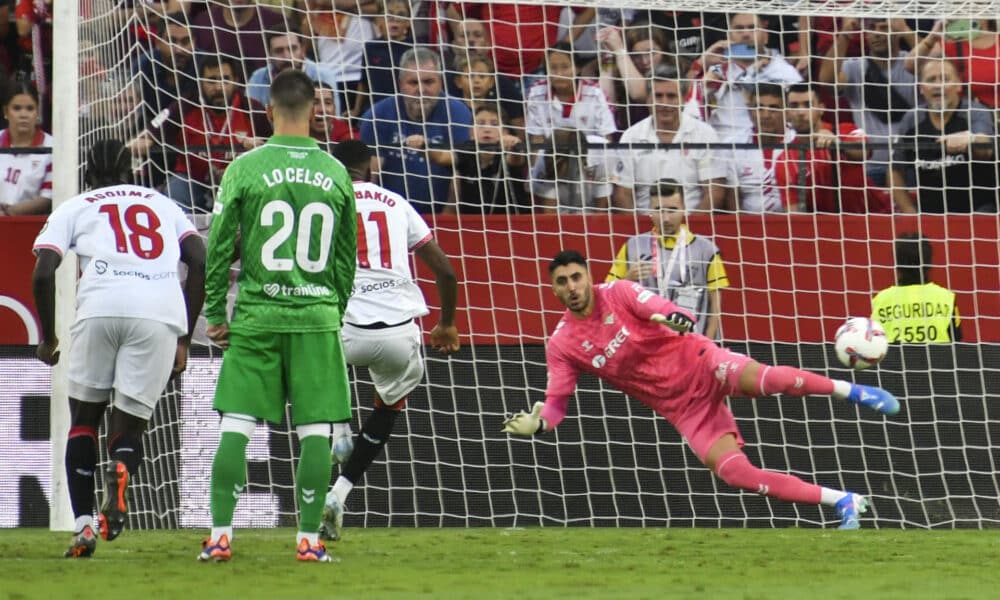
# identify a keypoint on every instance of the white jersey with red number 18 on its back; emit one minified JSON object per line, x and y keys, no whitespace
{"x":128,"y":240}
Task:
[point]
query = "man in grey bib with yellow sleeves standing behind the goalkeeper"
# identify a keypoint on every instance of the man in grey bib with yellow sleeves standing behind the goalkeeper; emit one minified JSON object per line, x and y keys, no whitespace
{"x":674,"y":262}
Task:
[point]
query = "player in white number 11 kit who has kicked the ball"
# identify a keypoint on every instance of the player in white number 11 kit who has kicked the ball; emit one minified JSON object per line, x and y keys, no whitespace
{"x":379,"y":331}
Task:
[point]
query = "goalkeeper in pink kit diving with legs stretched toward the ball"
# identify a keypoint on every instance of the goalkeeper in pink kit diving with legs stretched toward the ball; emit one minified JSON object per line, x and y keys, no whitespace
{"x":635,"y":340}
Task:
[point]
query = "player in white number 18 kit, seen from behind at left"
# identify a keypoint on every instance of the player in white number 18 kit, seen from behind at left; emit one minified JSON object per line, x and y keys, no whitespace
{"x":133,"y":324}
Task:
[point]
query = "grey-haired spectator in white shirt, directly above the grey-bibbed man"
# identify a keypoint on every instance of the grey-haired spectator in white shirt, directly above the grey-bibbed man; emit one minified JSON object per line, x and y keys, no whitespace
{"x":699,"y":170}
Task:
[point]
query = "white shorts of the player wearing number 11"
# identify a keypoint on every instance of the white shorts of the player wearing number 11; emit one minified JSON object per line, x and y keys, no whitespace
{"x":392,"y":356}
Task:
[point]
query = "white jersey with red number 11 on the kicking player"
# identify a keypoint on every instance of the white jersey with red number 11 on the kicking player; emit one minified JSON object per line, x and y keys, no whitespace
{"x":389,"y":228}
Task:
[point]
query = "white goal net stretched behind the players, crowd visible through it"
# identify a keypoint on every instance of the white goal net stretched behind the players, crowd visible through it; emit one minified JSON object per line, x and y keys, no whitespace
{"x":802,"y":220}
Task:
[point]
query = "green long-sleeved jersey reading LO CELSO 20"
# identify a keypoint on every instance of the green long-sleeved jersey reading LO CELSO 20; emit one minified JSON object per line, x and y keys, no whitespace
{"x":290,"y":205}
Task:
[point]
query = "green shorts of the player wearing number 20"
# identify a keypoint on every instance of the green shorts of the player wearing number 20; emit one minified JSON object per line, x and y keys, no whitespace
{"x":261,"y":370}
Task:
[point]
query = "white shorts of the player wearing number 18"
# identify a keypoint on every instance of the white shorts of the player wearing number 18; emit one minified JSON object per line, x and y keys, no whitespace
{"x":133,"y":357}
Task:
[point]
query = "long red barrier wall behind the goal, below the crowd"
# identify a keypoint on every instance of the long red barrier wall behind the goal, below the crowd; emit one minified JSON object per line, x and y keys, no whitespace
{"x":792,"y":277}
